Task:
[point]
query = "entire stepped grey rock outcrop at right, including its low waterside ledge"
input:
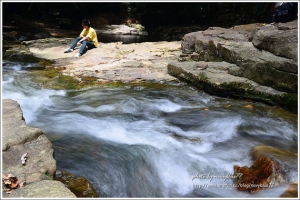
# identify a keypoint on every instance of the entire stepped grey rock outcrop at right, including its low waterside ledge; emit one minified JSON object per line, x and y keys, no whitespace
{"x":261,"y":59}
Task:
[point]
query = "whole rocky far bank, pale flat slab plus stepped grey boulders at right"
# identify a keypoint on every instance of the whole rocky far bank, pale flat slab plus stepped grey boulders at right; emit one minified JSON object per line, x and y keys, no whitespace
{"x":233,"y":62}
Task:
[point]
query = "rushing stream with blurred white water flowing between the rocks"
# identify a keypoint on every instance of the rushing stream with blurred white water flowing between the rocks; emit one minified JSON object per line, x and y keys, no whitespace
{"x":152,"y":140}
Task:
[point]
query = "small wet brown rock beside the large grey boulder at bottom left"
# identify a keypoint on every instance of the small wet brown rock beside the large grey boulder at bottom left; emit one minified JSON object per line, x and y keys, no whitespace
{"x":77,"y":184}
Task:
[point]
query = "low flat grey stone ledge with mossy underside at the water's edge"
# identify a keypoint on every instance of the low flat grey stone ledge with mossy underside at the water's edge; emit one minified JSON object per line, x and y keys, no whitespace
{"x":214,"y":78}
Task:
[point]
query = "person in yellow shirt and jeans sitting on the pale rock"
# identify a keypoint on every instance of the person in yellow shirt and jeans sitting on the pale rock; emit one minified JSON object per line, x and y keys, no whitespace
{"x":87,"y":39}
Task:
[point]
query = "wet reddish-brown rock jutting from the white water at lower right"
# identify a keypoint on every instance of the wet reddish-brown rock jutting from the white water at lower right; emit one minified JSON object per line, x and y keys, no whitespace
{"x":263,"y":174}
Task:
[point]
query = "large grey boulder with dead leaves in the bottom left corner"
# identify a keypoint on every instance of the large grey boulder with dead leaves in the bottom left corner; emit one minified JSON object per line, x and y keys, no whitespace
{"x":27,"y":155}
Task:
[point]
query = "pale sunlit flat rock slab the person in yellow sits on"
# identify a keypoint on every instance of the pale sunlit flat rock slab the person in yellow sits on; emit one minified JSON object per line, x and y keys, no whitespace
{"x":111,"y":61}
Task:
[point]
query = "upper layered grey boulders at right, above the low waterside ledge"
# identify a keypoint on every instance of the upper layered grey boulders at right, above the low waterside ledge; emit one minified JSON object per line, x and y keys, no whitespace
{"x":260,"y":65}
